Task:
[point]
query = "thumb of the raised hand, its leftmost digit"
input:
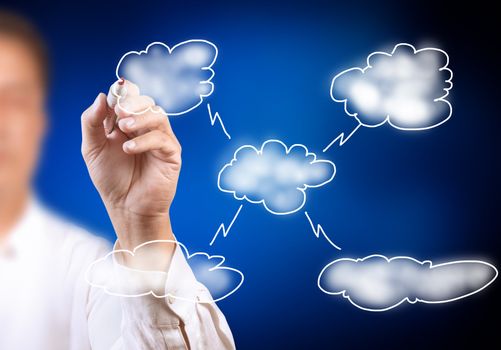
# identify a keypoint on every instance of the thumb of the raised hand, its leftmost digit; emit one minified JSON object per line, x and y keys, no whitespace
{"x":93,"y":132}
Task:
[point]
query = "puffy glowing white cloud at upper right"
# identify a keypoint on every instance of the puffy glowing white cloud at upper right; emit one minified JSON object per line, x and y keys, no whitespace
{"x":406,"y":88}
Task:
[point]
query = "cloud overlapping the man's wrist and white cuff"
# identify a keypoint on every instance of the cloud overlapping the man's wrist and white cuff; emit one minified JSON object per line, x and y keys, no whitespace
{"x":215,"y":281}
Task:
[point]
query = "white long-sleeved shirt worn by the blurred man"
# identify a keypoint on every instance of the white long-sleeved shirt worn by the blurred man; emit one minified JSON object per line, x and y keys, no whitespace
{"x":45,"y":302}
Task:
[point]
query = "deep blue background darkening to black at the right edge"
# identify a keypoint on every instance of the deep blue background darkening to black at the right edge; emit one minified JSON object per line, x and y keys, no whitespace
{"x":430,"y":195}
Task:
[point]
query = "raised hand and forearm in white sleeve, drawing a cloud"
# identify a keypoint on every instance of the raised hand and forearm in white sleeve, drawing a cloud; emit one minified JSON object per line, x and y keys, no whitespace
{"x":137,"y":185}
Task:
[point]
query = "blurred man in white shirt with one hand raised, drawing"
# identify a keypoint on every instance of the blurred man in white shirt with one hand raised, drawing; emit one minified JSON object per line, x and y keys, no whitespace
{"x":45,"y":302}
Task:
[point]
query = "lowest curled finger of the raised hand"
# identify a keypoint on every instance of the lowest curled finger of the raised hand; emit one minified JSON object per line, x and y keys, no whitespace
{"x":166,"y":145}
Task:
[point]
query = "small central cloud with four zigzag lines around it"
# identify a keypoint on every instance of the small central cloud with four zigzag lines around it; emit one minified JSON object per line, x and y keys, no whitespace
{"x":274,"y":175}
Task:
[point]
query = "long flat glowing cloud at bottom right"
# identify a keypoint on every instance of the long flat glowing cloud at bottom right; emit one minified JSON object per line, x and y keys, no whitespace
{"x":376,"y":283}
